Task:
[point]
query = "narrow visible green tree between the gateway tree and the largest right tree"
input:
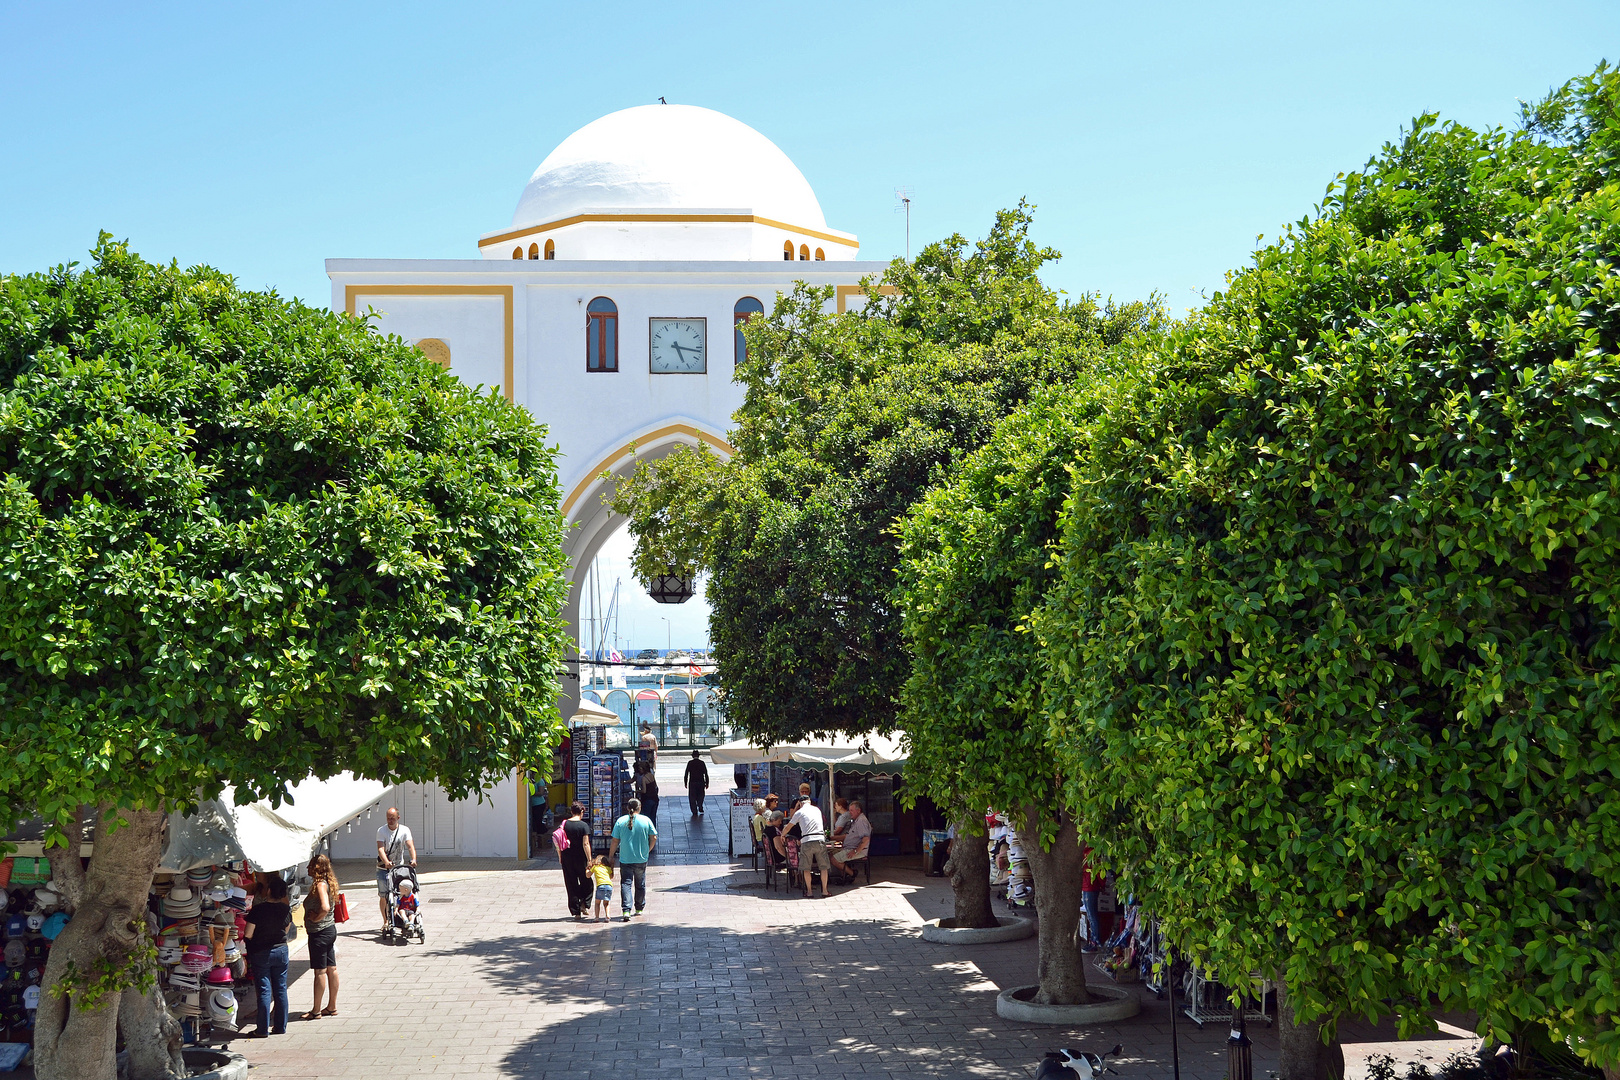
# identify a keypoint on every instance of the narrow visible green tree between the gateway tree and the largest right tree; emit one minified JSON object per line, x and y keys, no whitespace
{"x":974,"y":564}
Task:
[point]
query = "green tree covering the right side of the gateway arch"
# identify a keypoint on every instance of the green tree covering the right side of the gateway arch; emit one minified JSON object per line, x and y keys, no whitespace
{"x":848,"y":422}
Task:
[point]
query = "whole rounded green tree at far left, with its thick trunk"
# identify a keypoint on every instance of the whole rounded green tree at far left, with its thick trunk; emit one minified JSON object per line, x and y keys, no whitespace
{"x":244,"y":542}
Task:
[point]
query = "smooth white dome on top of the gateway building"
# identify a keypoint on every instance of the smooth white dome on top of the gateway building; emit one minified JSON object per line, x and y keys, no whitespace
{"x":668,"y":158}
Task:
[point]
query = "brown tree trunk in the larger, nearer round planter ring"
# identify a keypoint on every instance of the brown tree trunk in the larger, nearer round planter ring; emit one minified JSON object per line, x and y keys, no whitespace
{"x":1059,"y":909}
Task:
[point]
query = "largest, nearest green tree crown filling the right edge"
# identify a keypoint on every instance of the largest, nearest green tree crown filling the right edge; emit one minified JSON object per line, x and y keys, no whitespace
{"x":1332,"y":655}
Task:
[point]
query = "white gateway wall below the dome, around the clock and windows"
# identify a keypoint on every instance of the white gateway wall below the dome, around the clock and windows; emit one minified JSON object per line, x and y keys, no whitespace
{"x":589,"y":415}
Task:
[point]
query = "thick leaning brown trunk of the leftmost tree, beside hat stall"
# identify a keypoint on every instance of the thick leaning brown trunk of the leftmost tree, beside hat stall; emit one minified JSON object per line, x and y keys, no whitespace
{"x":75,"y":1040}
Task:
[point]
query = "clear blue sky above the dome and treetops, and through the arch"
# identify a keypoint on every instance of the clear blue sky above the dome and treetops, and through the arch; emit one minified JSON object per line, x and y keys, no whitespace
{"x":1156,"y":140}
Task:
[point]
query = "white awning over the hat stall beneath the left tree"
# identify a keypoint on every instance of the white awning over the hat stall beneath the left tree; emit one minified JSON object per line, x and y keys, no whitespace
{"x":268,"y":838}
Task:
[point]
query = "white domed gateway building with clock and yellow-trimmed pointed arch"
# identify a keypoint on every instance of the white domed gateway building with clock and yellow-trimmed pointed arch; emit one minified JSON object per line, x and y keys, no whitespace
{"x":608,"y":310}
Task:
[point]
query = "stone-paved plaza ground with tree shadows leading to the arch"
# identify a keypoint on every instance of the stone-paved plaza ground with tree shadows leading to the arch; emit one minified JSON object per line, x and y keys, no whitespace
{"x":720,"y":979}
